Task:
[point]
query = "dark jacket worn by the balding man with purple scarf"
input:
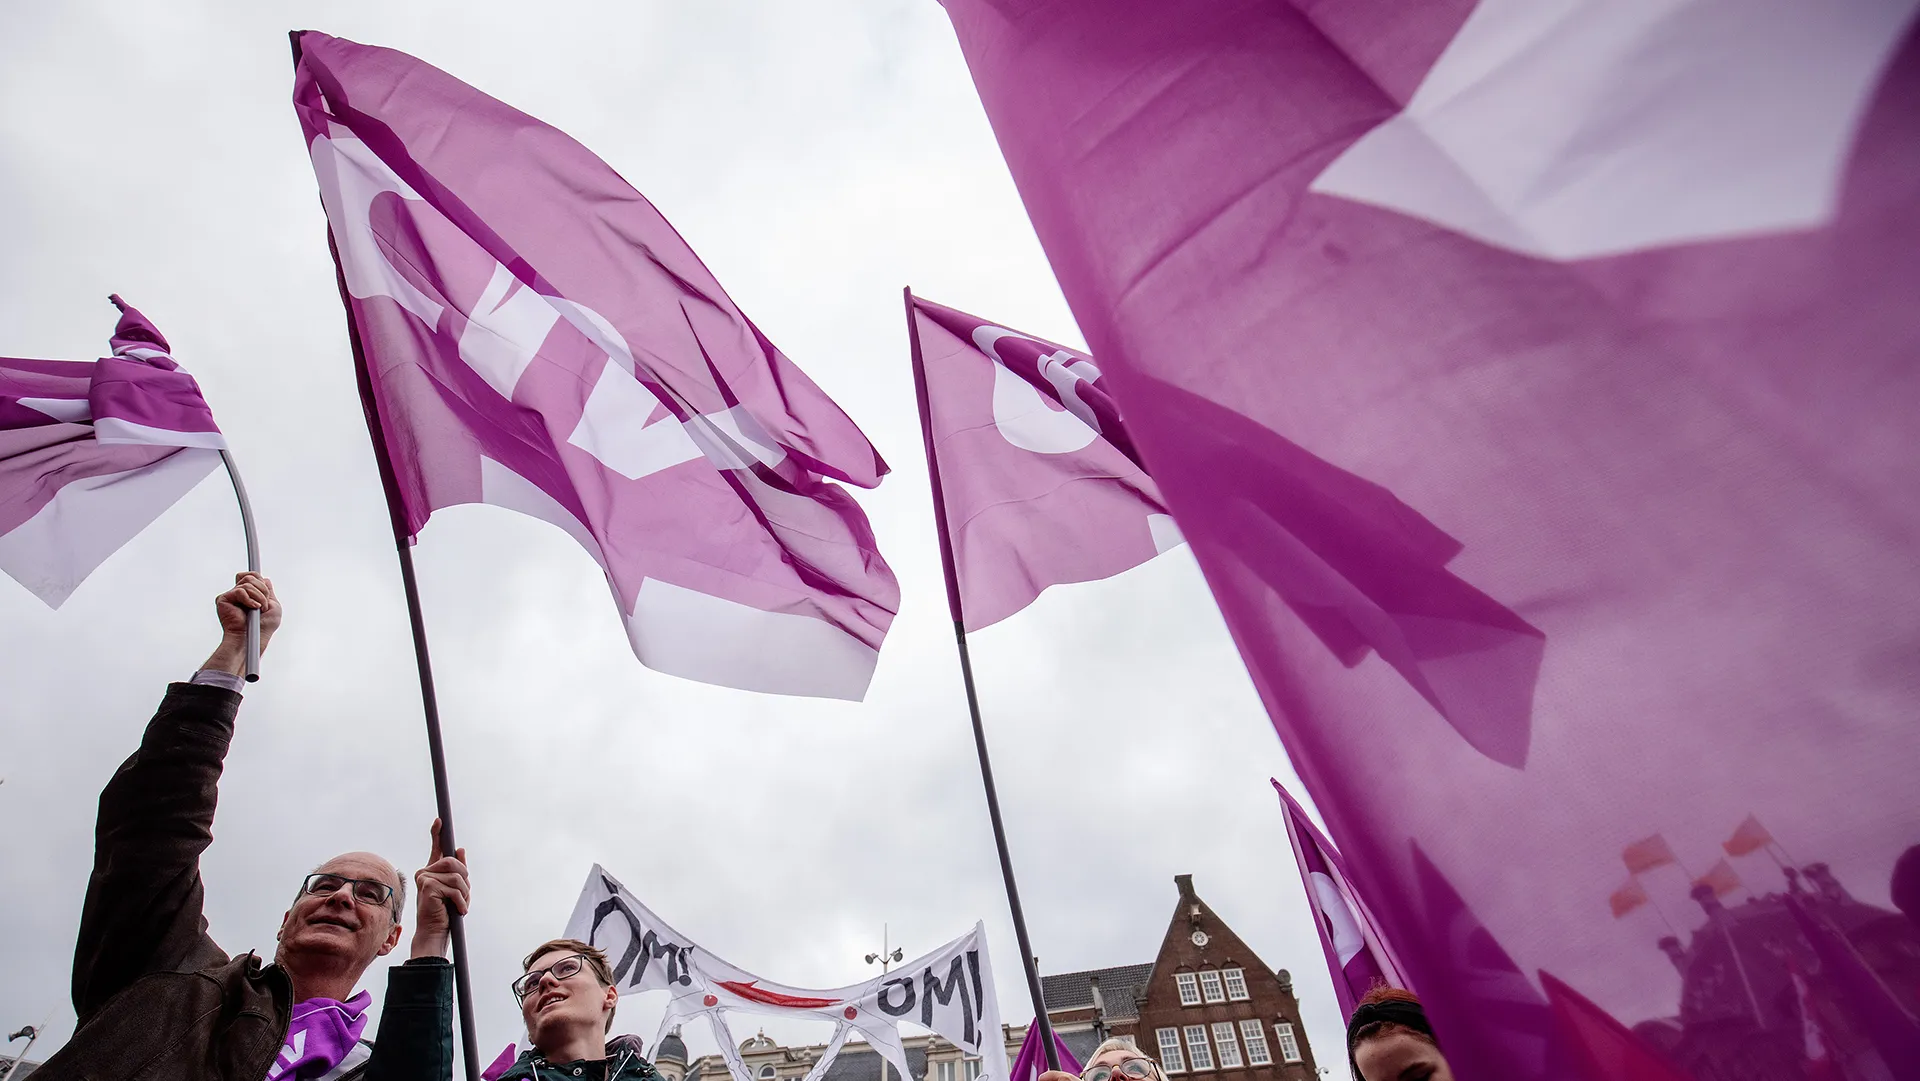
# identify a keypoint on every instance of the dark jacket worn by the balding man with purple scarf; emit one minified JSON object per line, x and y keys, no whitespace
{"x":156,"y":997}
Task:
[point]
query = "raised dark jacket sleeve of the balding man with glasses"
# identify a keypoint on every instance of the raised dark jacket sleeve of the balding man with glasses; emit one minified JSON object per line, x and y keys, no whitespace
{"x":145,"y":900}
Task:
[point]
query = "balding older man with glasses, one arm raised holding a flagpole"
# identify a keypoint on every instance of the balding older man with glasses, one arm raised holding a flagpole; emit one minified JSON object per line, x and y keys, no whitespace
{"x":158,"y":999}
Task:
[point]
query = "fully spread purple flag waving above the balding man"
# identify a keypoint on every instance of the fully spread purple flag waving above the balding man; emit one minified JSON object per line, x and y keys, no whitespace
{"x":539,"y":337}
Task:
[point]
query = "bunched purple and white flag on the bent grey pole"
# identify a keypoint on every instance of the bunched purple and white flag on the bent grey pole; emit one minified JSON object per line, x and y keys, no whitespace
{"x":91,"y":452}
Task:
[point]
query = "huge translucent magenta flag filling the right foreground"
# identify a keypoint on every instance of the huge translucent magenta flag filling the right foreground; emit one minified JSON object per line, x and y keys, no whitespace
{"x":1537,"y":389}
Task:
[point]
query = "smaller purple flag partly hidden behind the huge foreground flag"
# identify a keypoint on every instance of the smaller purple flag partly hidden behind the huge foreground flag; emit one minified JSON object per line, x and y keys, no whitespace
{"x":1040,"y":477}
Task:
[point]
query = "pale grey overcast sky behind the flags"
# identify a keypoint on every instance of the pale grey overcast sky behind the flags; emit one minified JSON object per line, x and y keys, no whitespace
{"x":819,"y":155}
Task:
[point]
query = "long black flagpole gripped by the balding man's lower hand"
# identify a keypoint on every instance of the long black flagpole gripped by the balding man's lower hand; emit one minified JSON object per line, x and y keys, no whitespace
{"x":431,"y":704}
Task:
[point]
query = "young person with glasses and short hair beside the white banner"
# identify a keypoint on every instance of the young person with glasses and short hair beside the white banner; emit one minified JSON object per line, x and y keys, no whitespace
{"x":567,"y":1001}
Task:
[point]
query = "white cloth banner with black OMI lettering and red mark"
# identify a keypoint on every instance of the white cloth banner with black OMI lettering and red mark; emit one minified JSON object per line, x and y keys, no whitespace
{"x":948,"y":992}
